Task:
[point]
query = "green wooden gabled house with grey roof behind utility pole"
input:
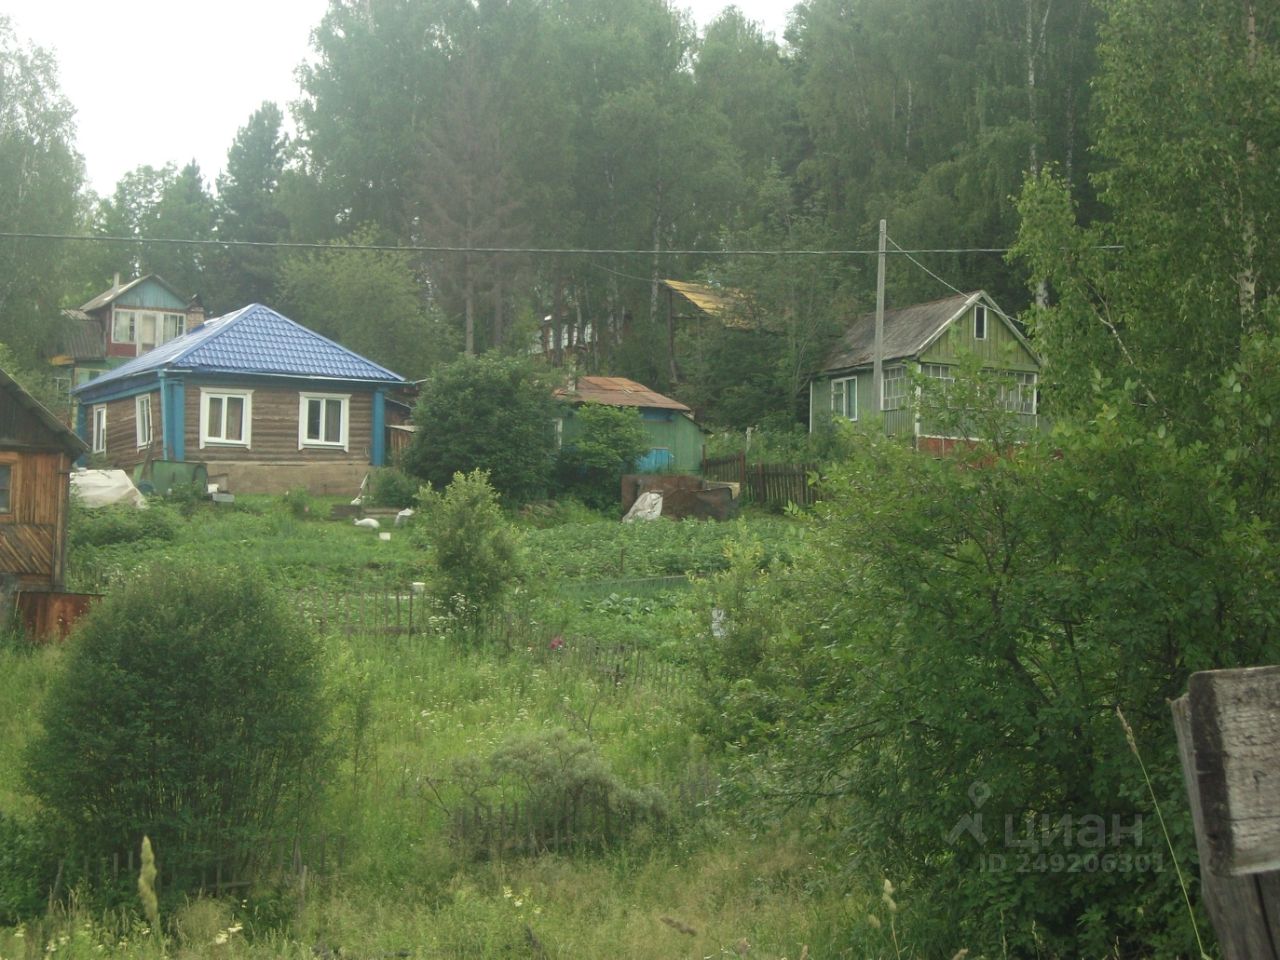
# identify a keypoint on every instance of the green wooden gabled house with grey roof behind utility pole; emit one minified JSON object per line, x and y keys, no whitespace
{"x":931,"y":340}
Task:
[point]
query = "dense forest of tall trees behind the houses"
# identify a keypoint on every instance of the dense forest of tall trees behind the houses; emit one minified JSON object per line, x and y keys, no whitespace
{"x":483,"y":136}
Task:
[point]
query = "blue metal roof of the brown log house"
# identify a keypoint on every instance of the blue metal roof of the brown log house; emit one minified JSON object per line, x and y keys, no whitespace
{"x":254,"y":340}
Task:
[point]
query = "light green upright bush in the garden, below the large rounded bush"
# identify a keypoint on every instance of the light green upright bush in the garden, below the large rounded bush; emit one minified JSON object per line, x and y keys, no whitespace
{"x":476,"y":551}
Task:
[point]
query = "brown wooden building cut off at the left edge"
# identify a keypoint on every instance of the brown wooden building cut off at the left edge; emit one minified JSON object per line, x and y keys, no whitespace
{"x":36,"y":456}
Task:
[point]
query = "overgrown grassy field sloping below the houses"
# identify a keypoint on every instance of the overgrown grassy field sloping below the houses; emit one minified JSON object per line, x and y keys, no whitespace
{"x":419,"y":720}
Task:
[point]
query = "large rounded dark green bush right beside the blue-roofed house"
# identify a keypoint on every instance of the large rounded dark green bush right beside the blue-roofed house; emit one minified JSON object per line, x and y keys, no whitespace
{"x":487,"y":414}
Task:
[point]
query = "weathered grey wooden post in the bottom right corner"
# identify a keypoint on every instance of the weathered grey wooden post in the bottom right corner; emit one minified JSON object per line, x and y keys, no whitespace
{"x":1229,"y":743}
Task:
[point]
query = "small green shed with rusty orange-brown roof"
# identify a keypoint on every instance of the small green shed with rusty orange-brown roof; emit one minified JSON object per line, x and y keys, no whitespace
{"x":676,"y":437}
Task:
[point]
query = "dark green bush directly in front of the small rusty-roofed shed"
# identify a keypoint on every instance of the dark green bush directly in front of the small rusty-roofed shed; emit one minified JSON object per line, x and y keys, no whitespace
{"x":607,"y":445}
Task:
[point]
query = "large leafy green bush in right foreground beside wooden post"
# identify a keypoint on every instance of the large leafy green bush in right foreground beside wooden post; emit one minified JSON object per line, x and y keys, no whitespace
{"x":968,"y":625}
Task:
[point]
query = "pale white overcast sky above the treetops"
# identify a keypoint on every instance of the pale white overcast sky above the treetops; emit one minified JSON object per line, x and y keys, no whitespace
{"x":161,"y":81}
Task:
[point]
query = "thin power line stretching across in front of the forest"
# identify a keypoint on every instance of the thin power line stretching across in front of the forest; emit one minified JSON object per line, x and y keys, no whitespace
{"x":532,"y":252}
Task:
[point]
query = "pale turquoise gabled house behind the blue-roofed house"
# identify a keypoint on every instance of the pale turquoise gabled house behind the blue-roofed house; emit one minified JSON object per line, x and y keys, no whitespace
{"x":124,"y":322}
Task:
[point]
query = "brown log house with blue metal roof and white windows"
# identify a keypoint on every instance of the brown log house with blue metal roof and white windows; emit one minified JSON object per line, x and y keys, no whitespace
{"x":264,"y":403}
